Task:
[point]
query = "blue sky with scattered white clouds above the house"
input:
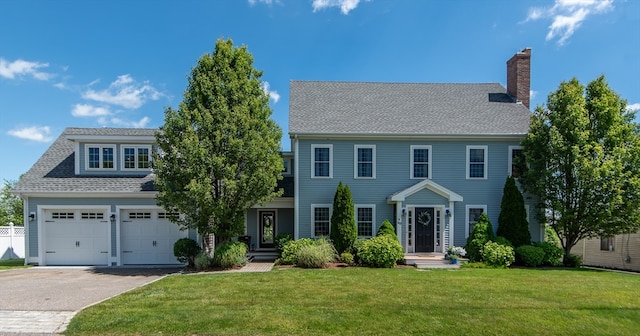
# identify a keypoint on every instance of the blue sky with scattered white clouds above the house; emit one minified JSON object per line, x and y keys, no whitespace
{"x":120,"y":63}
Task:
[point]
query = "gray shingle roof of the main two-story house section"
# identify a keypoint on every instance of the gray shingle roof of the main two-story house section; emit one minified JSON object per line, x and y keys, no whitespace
{"x":365,"y":108}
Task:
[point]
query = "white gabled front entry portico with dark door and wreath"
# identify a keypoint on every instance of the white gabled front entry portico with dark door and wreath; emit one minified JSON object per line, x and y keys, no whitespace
{"x":425,"y":228}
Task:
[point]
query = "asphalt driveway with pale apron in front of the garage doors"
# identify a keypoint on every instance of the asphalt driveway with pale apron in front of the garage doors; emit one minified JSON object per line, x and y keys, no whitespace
{"x":43,"y":299}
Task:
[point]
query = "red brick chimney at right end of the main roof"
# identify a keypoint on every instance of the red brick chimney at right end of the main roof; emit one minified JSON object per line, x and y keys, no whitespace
{"x":519,"y":76}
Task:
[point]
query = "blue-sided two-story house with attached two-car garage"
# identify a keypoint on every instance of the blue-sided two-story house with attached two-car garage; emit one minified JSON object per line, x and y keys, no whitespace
{"x":430,"y":158}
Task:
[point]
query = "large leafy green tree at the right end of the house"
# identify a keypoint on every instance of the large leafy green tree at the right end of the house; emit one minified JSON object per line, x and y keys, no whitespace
{"x":583,"y":159}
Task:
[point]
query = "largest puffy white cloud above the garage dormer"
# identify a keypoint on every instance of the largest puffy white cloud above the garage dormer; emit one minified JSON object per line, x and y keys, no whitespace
{"x":125,"y":92}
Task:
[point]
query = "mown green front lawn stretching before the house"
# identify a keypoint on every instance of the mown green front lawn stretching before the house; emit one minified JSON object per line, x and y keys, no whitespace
{"x":363,"y":301}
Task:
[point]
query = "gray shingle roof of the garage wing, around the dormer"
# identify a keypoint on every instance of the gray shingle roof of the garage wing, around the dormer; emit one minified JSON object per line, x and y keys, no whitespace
{"x":54,"y":171}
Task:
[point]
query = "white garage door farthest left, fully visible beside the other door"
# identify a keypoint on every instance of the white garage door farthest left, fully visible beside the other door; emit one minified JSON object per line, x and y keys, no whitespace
{"x":76,"y":237}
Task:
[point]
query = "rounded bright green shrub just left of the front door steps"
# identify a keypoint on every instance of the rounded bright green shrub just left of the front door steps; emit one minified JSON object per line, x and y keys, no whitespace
{"x":381,"y":251}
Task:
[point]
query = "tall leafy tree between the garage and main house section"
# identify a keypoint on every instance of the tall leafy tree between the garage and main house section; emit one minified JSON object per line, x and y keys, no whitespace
{"x":219,"y":151}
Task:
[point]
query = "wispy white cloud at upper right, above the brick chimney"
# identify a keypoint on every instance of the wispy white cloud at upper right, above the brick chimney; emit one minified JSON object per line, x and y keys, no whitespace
{"x":567,"y":16}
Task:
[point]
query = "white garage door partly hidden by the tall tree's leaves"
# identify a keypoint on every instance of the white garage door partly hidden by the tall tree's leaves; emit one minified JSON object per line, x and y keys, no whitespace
{"x":148,"y":238}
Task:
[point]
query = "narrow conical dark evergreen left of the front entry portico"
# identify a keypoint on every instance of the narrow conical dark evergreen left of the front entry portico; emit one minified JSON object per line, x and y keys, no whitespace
{"x":343,"y":224}
